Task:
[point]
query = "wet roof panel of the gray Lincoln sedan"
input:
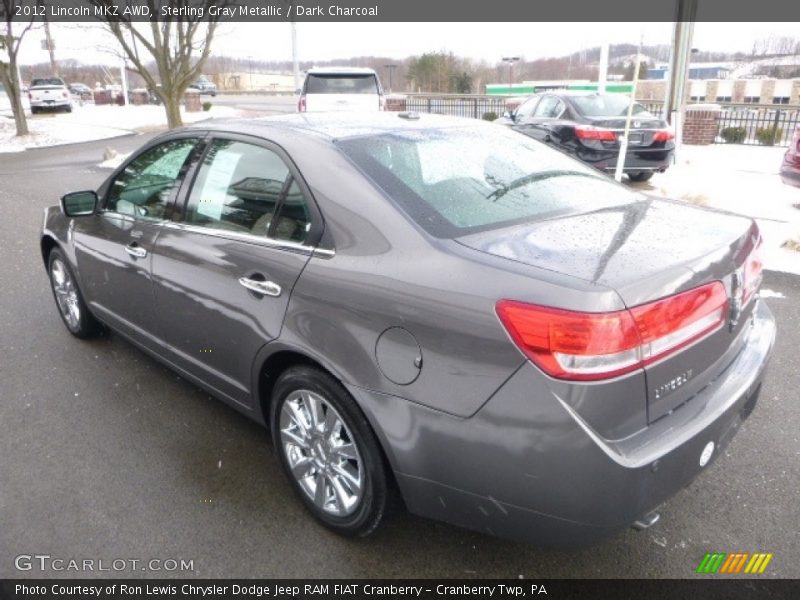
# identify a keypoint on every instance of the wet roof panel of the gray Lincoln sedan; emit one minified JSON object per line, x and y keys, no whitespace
{"x":340,"y":125}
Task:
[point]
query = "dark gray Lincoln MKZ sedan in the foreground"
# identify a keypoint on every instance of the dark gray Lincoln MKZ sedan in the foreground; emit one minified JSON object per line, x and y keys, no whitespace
{"x":522,"y":345}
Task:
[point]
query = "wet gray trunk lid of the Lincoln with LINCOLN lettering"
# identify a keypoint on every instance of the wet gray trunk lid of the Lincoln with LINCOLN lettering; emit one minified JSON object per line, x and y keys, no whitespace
{"x":646,"y":251}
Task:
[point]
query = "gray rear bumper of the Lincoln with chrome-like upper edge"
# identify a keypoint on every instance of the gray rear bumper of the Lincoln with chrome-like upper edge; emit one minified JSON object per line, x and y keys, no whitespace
{"x":527,"y":467}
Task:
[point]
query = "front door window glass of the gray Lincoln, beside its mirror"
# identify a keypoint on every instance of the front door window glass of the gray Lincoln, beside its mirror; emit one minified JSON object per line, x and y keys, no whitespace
{"x":144,"y":188}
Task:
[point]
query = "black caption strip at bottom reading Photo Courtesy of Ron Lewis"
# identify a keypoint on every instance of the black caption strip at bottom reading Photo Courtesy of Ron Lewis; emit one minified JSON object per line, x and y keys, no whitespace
{"x":425,"y":589}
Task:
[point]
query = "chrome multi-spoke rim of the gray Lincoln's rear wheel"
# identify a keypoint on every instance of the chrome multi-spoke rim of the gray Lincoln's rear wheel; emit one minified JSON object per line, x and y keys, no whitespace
{"x":321,"y":453}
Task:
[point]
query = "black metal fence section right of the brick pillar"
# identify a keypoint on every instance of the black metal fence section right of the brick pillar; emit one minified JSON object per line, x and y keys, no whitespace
{"x":770,"y":125}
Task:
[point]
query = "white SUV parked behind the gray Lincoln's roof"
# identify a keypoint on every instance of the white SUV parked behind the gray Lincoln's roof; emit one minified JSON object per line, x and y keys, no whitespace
{"x":341,"y":89}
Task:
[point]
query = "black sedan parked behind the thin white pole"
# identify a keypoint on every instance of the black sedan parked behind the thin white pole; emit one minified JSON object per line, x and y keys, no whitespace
{"x":588,"y":126}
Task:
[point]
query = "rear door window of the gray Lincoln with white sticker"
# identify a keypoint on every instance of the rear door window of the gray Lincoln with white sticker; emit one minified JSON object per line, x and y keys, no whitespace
{"x":241,"y":188}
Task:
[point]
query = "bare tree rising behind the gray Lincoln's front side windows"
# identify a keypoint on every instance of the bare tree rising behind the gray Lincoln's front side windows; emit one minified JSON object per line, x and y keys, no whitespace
{"x":178,"y":46}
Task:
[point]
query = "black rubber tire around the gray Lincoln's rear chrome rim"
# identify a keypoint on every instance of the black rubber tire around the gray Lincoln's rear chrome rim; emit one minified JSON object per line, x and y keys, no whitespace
{"x":368,"y":510}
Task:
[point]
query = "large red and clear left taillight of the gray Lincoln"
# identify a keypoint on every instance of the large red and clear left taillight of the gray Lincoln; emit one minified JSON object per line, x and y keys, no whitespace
{"x":590,"y":346}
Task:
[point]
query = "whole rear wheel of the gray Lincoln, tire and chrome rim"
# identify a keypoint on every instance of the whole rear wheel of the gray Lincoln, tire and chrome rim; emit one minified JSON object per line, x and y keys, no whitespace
{"x":328,"y":451}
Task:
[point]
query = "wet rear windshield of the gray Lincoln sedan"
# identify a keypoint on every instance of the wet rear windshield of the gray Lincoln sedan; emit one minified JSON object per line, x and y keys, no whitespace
{"x":453,"y":182}
